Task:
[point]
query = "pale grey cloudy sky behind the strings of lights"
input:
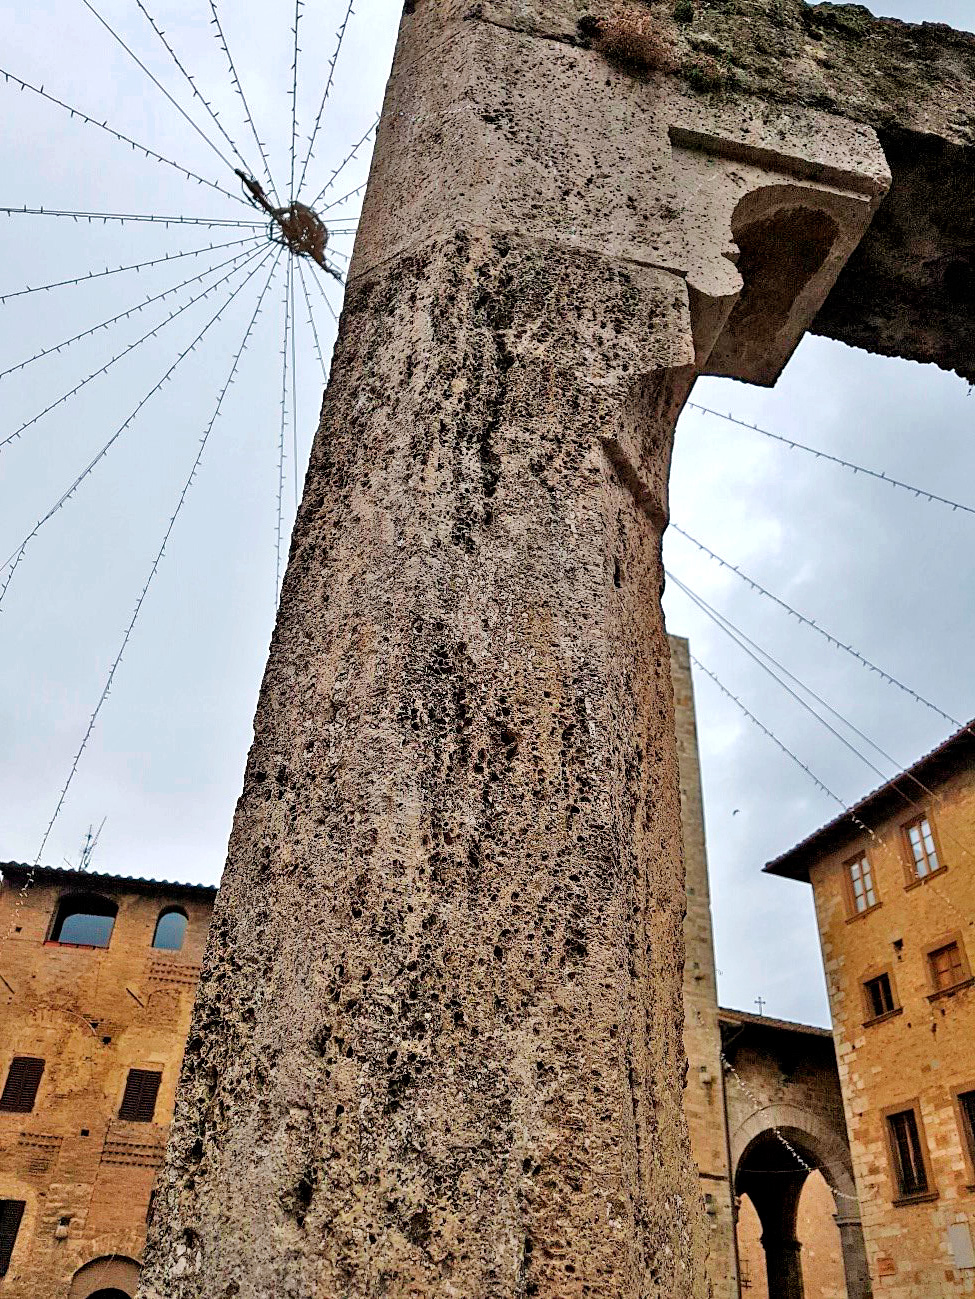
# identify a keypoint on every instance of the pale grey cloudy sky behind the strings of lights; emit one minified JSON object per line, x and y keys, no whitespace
{"x":883,"y":571}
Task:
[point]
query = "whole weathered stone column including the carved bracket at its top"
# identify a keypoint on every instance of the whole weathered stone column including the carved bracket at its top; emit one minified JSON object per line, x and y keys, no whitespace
{"x":437,"y":1046}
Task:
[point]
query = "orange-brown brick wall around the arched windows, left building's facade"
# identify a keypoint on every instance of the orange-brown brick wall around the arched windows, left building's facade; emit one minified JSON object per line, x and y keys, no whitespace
{"x":92,"y":1015}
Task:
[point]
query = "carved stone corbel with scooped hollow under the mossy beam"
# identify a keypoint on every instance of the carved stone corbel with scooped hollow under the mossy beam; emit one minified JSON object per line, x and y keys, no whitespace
{"x":773,"y":205}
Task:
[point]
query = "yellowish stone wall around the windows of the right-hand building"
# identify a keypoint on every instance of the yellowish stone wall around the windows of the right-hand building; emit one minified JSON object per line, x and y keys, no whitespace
{"x":921,"y":1054}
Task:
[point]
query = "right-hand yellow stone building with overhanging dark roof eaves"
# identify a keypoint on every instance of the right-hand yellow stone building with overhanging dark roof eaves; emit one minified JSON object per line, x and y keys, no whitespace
{"x":895,"y":898}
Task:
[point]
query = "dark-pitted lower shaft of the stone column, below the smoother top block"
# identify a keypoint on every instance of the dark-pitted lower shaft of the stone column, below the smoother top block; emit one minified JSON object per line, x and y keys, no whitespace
{"x":437,"y":1045}
